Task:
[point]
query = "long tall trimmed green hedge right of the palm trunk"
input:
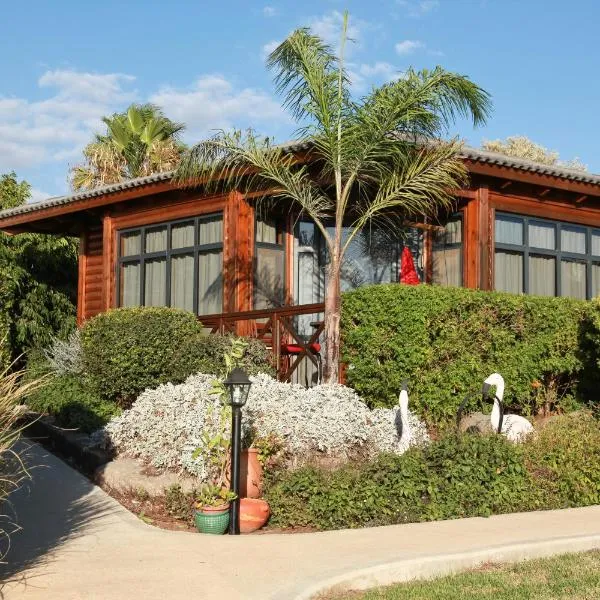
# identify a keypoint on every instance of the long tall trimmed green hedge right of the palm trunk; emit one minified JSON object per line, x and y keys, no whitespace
{"x":445,"y":341}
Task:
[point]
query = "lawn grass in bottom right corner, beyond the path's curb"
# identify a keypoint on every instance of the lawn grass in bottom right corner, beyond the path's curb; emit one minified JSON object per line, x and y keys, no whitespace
{"x":571,"y":576}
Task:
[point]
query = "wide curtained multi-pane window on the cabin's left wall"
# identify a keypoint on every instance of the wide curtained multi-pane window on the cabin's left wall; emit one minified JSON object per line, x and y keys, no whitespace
{"x":178,"y":264}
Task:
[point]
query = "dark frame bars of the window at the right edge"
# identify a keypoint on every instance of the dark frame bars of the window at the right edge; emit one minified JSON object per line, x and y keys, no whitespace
{"x":526,"y":250}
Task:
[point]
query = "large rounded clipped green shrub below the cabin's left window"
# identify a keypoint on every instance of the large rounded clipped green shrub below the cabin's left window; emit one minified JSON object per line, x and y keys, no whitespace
{"x":128,"y":350}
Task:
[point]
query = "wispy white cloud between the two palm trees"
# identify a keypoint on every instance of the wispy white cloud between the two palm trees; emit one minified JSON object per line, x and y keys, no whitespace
{"x":212,"y":102}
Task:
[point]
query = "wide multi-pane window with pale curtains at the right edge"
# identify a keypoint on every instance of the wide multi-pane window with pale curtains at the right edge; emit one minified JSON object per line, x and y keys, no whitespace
{"x":546,"y":258}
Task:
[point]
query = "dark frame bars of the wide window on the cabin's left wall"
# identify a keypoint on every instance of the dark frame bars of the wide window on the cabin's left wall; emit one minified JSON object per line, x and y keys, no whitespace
{"x":167,"y":254}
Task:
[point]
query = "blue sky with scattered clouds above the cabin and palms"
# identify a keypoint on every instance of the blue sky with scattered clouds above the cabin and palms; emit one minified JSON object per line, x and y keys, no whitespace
{"x":66,"y":63}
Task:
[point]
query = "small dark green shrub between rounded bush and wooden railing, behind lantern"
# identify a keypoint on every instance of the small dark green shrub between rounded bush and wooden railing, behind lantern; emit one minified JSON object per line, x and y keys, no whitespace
{"x":204,"y":354}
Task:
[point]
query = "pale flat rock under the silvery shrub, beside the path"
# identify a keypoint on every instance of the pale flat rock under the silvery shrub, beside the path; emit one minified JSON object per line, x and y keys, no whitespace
{"x":126,"y":474}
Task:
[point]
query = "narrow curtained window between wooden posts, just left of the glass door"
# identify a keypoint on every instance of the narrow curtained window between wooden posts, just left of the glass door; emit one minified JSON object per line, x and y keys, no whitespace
{"x":269,"y":263}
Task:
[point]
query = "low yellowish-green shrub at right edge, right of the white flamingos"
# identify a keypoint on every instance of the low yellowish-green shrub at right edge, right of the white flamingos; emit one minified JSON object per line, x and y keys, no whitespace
{"x":565,"y":460}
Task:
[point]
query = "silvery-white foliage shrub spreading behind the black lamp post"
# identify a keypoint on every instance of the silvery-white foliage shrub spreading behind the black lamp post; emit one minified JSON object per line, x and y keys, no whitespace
{"x":164,"y":426}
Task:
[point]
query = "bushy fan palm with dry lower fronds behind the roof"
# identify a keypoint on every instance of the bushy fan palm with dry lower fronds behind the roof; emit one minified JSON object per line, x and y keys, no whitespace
{"x":138,"y":142}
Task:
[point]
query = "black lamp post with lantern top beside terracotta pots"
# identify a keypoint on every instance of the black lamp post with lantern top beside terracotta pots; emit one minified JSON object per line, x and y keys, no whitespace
{"x":238,"y":386}
